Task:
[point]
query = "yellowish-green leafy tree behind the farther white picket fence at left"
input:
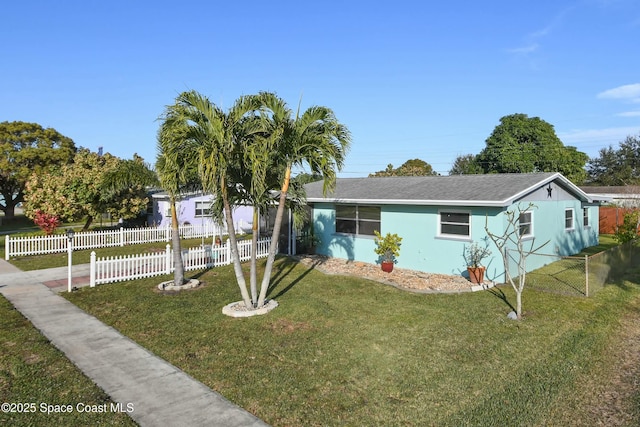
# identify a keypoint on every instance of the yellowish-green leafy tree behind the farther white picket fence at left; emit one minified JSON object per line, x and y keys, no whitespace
{"x":78,"y":191}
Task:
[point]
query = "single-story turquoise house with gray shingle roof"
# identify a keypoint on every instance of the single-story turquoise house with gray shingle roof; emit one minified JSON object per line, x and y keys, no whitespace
{"x":438,"y":217}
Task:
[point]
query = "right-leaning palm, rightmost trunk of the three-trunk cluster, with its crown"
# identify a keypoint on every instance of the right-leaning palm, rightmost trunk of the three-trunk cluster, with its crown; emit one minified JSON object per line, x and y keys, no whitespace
{"x":315,"y":139}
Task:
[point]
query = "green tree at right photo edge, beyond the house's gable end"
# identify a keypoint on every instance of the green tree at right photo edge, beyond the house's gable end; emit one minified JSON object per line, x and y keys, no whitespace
{"x":619,"y":166}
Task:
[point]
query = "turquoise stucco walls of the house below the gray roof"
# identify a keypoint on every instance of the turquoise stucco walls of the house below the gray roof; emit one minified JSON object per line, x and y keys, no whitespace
{"x":423,"y":249}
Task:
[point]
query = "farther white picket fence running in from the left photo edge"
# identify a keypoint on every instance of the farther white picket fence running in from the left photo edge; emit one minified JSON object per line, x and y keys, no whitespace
{"x":38,"y":245}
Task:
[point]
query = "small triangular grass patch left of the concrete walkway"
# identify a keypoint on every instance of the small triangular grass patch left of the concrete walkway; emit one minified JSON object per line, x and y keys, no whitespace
{"x":33,"y":371}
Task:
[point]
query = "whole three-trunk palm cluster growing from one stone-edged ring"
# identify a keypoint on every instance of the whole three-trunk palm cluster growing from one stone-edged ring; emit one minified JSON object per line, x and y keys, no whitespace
{"x":249,"y":151}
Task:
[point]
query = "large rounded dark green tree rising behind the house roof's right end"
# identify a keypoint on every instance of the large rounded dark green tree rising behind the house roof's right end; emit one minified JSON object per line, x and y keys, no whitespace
{"x":522,"y":144}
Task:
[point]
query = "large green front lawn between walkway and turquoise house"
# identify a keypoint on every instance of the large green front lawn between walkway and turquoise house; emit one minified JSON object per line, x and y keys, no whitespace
{"x":346,"y":351}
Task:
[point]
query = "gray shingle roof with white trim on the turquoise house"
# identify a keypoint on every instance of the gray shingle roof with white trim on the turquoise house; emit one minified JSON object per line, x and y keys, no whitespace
{"x":473,"y":190}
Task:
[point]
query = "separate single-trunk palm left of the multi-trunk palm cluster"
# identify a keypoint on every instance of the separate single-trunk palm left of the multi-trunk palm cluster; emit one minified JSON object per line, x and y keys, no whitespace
{"x":177,"y":171}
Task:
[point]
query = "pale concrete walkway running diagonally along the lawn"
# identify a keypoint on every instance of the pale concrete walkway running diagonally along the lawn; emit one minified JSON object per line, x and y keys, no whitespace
{"x":160,"y":393}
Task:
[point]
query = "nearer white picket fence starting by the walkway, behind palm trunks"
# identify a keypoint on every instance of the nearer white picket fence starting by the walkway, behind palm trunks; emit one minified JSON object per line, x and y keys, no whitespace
{"x":130,"y":267}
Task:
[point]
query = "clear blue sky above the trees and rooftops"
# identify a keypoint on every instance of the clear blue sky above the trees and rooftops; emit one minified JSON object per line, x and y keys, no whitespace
{"x":410,"y":79}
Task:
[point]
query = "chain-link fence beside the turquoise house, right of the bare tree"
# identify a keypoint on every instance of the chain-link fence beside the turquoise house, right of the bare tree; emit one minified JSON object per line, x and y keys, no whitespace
{"x":579,"y":275}
